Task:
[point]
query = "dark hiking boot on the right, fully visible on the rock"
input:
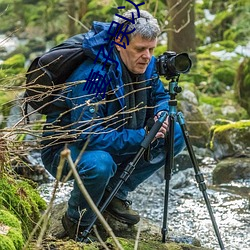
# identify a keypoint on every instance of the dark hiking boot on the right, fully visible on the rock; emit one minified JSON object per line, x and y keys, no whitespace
{"x":121,"y":211}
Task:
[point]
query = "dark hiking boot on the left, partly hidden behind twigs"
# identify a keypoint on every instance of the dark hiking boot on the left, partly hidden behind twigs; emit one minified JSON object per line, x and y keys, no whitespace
{"x":75,"y":231}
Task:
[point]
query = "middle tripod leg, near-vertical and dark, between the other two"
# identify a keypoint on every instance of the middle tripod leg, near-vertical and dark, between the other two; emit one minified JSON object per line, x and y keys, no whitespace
{"x":168,"y":173}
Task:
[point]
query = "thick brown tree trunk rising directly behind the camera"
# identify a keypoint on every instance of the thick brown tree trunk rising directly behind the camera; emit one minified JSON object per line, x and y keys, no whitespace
{"x":181,"y":27}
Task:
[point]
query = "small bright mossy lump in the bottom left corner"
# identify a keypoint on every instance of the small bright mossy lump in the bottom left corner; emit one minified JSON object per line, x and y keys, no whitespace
{"x":11,"y":237}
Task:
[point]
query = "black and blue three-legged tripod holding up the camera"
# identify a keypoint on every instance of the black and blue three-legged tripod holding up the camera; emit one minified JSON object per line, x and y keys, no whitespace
{"x":173,"y":90}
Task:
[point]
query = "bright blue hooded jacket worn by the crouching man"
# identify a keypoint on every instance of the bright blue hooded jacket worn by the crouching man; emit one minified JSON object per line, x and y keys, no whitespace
{"x":105,"y":132}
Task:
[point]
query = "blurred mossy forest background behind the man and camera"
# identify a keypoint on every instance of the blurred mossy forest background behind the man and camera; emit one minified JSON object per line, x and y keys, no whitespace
{"x":214,"y":33}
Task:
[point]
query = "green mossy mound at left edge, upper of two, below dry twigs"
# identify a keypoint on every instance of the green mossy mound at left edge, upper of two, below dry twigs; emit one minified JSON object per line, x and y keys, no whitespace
{"x":21,"y":199}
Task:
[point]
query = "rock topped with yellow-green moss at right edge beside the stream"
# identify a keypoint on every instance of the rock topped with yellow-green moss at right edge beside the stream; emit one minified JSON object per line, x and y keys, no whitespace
{"x":232,"y":139}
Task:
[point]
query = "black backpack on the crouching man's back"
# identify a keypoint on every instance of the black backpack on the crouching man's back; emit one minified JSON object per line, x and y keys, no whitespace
{"x":48,"y":73}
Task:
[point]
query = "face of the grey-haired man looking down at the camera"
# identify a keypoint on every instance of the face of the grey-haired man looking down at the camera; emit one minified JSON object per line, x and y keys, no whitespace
{"x":137,"y":54}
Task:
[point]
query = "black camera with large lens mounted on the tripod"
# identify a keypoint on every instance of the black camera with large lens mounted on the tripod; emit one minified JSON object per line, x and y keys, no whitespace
{"x":171,"y":65}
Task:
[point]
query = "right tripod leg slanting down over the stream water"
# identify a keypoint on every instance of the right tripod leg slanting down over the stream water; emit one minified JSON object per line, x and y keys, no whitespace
{"x":199,"y":176}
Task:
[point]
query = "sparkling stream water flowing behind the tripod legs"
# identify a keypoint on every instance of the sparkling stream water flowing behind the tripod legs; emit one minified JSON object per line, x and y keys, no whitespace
{"x":187,"y":212}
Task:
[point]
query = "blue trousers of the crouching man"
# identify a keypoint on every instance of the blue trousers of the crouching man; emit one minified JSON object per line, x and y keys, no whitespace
{"x":100,"y":170}
